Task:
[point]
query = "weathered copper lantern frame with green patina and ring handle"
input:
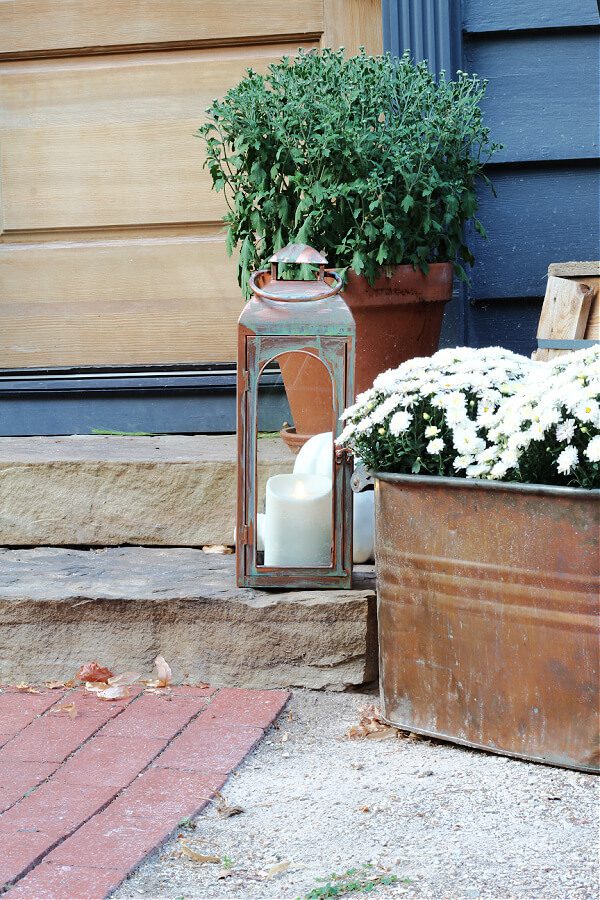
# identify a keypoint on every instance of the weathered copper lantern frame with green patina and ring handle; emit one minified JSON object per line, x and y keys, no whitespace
{"x":286,"y":317}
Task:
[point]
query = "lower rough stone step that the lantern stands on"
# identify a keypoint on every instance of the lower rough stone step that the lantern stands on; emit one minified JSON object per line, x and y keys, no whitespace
{"x":61,"y":607}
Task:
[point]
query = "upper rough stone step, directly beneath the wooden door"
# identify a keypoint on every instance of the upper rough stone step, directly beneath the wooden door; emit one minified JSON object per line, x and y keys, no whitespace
{"x":99,"y":490}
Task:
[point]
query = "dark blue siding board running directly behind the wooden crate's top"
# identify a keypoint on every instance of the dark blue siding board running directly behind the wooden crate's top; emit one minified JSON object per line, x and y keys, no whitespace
{"x":538,"y":216}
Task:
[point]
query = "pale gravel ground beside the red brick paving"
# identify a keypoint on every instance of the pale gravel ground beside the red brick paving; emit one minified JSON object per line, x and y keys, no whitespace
{"x":457,"y":823}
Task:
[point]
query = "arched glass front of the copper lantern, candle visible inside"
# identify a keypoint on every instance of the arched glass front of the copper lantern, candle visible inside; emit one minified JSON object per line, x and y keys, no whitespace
{"x":294,"y":501}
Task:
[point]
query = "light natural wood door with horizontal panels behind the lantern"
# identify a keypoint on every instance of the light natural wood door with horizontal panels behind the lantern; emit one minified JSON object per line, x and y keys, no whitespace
{"x":111,"y":248}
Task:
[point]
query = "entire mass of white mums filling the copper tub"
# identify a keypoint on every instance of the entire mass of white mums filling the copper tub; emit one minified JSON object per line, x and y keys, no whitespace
{"x":483,"y":414}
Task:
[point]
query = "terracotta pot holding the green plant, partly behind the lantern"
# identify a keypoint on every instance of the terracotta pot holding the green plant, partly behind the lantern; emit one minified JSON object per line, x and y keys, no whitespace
{"x":397,"y":319}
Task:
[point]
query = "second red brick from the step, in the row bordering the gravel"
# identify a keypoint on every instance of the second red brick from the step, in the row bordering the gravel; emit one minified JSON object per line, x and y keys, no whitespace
{"x":210,"y":747}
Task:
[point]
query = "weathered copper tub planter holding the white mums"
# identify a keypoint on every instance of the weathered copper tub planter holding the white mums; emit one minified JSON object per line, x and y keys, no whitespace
{"x":488,"y":615}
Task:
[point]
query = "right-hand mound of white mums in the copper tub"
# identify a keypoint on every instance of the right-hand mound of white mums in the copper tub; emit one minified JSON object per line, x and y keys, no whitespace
{"x":557,"y":409}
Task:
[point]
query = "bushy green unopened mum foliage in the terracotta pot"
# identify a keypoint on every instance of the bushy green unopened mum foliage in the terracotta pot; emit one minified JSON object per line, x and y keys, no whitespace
{"x":369,"y":159}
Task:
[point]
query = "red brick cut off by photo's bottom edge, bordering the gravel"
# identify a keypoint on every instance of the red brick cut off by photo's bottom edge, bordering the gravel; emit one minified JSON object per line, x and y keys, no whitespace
{"x":58,"y":882}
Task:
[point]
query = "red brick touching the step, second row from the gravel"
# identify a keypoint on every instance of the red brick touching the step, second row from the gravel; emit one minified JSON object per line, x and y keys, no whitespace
{"x":157,"y":716}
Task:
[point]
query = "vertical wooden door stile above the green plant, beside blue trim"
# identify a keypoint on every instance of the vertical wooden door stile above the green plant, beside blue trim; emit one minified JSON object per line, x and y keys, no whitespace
{"x":353,"y":24}
